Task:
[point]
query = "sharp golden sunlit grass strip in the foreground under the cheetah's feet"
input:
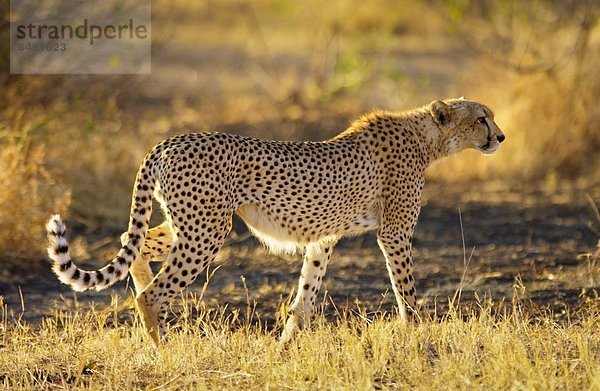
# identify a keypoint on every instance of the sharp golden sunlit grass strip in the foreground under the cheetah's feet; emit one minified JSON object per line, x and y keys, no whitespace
{"x":491,"y":346}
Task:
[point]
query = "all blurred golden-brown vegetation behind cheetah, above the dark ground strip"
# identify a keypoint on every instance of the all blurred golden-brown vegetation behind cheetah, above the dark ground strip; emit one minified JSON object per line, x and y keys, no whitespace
{"x":301,"y":70}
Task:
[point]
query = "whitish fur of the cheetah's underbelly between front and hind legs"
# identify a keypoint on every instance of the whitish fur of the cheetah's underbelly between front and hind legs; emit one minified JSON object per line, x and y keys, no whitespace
{"x":279,"y":238}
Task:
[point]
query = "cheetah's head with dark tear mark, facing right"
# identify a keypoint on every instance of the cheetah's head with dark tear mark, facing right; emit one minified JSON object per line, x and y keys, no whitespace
{"x":466,"y":124}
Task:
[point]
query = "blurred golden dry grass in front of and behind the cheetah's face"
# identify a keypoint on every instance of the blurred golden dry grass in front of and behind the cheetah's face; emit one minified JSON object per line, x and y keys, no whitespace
{"x":538,"y":69}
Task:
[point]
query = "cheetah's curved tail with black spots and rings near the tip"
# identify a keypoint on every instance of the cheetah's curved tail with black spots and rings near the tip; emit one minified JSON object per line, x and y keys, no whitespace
{"x":81,"y":280}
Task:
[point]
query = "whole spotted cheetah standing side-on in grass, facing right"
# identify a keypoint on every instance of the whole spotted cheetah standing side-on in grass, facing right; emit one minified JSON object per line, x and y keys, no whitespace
{"x":292,"y":196}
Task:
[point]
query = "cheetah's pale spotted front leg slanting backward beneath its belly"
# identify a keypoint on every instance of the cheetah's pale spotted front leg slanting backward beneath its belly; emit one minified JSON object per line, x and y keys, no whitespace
{"x":313,"y":269}
